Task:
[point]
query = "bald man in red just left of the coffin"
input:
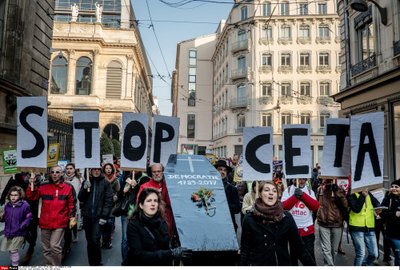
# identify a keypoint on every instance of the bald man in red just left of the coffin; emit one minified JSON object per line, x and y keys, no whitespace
{"x":158,"y":182}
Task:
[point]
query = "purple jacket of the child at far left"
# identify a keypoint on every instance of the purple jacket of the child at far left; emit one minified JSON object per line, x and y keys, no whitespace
{"x":17,"y":218}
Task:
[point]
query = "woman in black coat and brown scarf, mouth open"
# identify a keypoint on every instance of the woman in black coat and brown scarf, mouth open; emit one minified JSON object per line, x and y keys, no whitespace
{"x":267,"y":230}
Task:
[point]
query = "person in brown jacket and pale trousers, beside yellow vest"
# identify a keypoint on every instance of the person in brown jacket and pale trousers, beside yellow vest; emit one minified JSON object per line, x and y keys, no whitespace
{"x":330,"y":218}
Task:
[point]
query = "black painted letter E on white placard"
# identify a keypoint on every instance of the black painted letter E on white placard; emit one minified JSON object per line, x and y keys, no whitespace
{"x":290,"y":152}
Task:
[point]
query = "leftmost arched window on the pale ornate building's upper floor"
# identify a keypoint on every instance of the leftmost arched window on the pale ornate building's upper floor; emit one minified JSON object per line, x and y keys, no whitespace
{"x":59,"y":74}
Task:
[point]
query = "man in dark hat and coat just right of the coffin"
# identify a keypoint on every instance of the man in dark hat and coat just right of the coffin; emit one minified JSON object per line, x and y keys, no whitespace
{"x":232,"y":195}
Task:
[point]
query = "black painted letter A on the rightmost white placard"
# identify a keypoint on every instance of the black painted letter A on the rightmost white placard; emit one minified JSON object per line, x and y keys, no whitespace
{"x":366,"y":130}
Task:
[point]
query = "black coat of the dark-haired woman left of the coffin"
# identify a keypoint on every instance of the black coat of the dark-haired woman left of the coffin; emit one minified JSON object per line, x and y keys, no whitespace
{"x":148,"y":242}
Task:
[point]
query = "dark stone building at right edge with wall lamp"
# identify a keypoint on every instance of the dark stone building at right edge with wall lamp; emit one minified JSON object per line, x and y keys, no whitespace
{"x":370,"y":61}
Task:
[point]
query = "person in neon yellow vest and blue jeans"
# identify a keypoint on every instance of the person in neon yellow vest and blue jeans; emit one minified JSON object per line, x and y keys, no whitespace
{"x":362,"y":226}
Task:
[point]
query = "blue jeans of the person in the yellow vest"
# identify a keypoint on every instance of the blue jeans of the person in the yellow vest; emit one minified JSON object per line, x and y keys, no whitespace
{"x":364,"y":241}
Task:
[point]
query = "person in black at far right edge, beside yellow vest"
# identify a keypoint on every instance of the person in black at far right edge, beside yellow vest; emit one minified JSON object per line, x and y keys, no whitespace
{"x":391,"y":215}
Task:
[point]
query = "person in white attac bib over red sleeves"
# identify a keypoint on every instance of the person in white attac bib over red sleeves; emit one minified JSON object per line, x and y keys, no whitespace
{"x":300,"y":200}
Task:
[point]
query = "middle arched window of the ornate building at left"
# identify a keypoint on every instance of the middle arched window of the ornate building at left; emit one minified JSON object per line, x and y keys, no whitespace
{"x":83,"y":76}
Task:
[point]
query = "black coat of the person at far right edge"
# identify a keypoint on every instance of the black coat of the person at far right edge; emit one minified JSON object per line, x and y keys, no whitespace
{"x":389,"y":215}
